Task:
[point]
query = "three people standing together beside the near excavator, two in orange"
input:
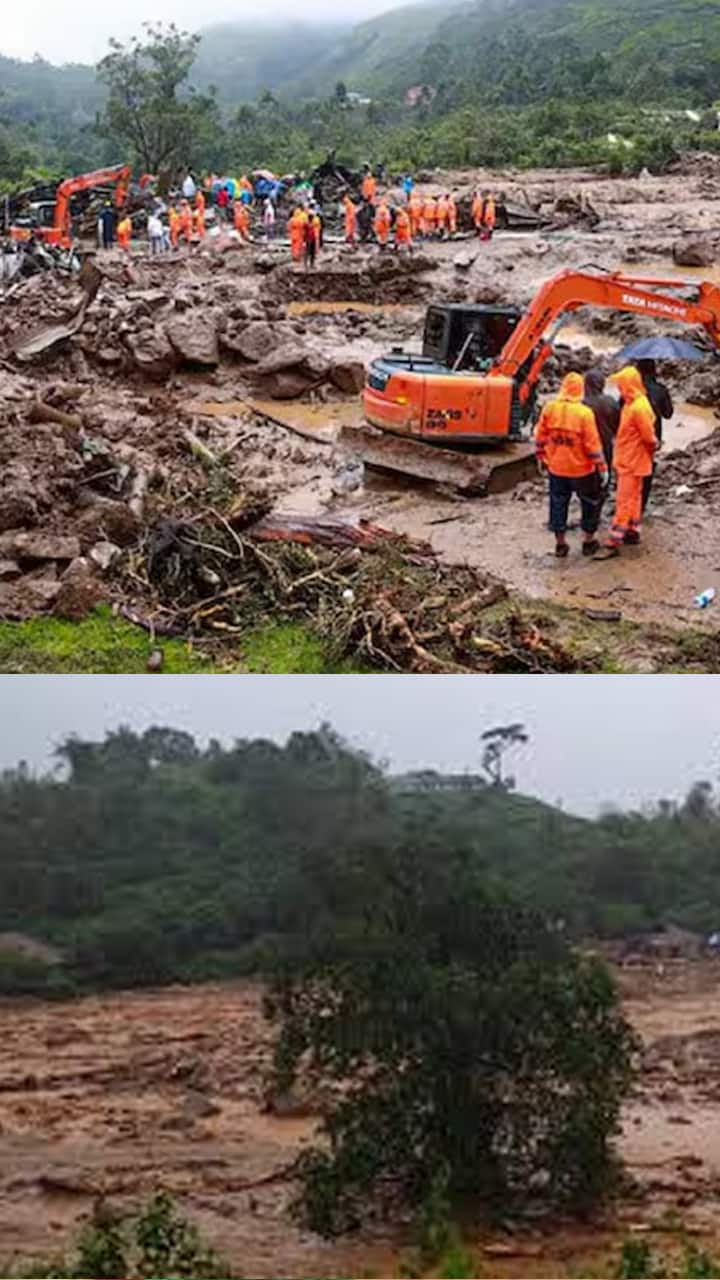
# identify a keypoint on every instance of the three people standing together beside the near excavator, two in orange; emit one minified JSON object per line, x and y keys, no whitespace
{"x":585,"y":435}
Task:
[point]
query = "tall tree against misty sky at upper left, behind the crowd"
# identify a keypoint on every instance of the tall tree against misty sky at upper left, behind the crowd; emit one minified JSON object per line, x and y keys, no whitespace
{"x":151,"y":111}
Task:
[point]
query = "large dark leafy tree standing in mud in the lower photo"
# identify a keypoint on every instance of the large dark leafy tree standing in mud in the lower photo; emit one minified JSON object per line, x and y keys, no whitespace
{"x":468,"y":1048}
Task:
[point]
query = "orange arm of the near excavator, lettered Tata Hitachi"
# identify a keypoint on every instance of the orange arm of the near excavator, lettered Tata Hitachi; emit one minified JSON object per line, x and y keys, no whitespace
{"x":571,"y":291}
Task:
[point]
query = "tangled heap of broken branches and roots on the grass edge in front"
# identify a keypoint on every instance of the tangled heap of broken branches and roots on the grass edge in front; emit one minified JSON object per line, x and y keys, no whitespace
{"x":389,"y":604}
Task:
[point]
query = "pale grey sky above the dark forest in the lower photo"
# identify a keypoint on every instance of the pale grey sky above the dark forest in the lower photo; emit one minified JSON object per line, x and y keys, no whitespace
{"x":596,"y":740}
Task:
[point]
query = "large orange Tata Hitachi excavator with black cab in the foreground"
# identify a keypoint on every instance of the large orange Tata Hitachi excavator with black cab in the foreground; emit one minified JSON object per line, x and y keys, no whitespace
{"x":476,"y":382}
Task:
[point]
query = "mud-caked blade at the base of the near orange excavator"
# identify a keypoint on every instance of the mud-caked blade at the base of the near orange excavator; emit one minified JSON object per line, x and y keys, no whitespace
{"x":495,"y":470}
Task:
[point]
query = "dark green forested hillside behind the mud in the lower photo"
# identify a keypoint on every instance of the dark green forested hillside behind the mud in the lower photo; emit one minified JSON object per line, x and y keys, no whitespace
{"x":154,"y":860}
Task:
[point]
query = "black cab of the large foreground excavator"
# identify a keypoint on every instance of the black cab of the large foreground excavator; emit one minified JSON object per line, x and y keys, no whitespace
{"x":468,"y":337}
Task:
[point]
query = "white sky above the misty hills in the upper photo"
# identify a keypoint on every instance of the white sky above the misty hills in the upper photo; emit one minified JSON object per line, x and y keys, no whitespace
{"x":81,"y":35}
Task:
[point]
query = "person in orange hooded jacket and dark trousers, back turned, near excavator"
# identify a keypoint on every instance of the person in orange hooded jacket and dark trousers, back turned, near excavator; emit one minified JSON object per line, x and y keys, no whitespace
{"x":568,"y":444}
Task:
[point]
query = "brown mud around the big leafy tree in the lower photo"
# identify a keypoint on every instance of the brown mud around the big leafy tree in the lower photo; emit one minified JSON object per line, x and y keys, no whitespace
{"x":122,"y":1095}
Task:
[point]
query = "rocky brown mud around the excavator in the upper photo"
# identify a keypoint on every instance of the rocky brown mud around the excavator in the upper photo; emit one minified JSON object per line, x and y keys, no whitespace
{"x":262,"y":364}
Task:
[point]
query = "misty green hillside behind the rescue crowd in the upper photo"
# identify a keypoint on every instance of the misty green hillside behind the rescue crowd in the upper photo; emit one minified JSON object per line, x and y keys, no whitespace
{"x":523,"y":83}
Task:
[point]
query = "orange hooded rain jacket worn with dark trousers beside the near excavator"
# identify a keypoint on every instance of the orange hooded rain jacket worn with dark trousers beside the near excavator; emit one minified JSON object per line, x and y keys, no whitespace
{"x":567,"y":437}
